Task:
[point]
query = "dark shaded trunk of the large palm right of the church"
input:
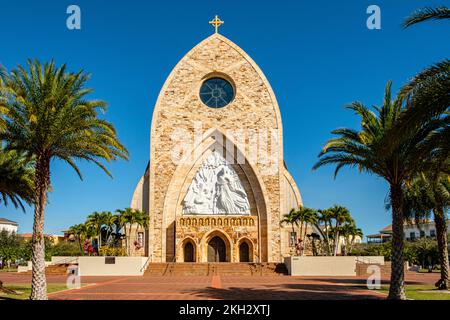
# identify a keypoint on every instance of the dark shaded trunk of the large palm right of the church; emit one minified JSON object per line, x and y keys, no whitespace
{"x":397,"y":288}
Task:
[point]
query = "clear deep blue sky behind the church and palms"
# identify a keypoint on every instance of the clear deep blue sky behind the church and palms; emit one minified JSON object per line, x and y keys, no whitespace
{"x":318,"y":56}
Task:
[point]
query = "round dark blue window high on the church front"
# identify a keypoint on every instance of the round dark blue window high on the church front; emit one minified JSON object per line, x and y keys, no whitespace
{"x":216,"y":92}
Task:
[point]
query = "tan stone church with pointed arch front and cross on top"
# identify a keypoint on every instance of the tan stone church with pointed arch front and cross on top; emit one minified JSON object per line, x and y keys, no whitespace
{"x":216,"y":186}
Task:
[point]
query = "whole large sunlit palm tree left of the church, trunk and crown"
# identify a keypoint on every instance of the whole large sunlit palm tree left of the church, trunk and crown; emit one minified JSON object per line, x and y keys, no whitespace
{"x":48,"y":116}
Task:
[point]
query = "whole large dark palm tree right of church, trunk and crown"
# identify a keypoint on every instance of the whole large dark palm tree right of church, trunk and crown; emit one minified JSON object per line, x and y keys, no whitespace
{"x":376,"y":150}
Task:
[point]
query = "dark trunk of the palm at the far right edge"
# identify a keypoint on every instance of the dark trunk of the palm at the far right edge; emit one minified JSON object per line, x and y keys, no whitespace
{"x":441,"y":234}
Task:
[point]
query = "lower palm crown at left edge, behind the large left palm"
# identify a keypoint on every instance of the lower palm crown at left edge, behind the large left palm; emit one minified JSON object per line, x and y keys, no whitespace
{"x":16,"y":178}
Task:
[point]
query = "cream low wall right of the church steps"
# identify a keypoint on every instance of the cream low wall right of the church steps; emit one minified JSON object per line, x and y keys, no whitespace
{"x":326,"y":266}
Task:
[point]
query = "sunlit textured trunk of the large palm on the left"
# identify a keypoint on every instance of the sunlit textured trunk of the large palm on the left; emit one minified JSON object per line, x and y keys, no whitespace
{"x":42,"y":182}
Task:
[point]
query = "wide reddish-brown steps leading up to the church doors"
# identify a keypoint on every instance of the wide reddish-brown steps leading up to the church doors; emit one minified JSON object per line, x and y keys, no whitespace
{"x":209,"y":269}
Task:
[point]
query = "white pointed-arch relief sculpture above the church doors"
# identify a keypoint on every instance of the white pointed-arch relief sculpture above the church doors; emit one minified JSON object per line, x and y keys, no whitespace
{"x":216,"y":189}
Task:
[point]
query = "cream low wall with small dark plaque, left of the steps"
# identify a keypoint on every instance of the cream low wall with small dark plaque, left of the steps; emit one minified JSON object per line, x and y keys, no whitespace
{"x":111,"y":266}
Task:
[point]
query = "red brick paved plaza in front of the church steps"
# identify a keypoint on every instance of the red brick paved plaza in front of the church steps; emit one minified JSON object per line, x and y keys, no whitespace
{"x":218,"y":287}
